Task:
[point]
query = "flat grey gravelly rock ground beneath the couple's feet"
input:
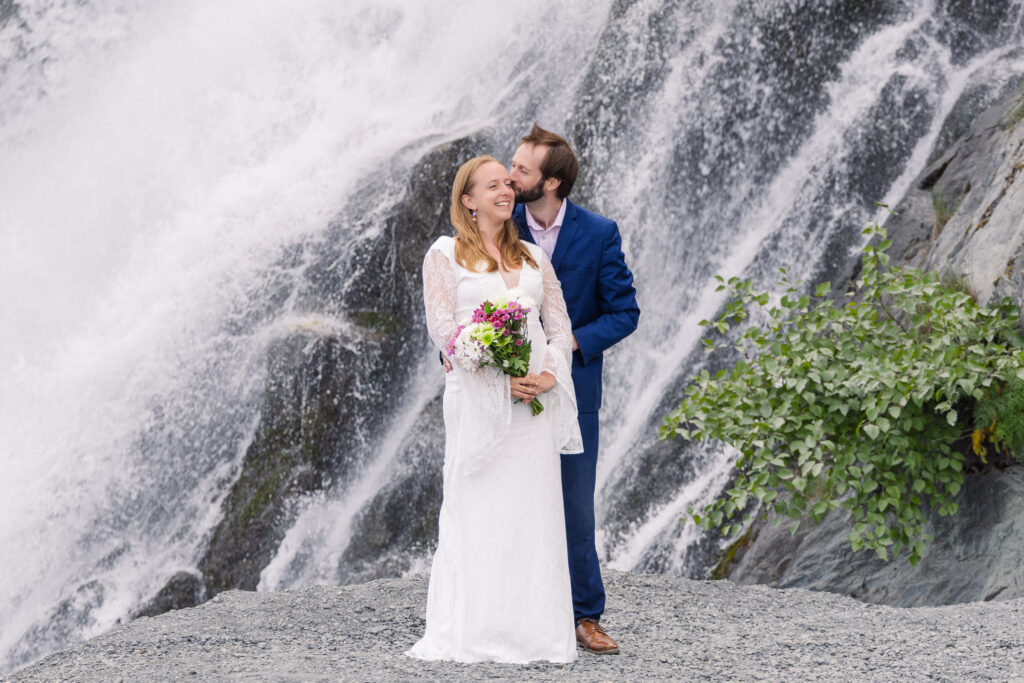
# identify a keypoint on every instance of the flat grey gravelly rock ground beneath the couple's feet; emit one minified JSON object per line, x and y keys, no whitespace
{"x":668,"y":628}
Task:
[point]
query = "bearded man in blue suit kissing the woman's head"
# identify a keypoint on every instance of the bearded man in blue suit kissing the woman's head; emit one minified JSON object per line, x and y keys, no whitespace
{"x":586,"y":252}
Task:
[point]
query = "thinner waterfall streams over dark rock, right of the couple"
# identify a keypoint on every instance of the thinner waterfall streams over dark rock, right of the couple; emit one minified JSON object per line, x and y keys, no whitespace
{"x":788,"y":179}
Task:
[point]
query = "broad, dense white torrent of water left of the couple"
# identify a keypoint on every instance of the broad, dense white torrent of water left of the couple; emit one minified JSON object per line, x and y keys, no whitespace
{"x":156,"y":160}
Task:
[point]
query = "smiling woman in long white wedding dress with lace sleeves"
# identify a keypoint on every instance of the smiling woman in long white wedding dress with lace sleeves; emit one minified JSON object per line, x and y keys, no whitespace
{"x":500,"y":584}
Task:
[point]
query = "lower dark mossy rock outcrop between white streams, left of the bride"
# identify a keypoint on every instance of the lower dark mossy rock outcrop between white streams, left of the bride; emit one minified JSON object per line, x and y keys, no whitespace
{"x":310,"y":417}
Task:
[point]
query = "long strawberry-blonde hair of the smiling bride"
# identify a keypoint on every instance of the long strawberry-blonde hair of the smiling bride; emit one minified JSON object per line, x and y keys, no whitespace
{"x":470,"y":249}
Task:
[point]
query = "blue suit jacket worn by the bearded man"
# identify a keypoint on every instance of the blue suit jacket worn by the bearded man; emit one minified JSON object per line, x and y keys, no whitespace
{"x":599,"y":290}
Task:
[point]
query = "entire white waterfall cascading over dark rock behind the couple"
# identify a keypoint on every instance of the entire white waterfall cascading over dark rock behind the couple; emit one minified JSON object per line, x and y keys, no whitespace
{"x":187,"y":185}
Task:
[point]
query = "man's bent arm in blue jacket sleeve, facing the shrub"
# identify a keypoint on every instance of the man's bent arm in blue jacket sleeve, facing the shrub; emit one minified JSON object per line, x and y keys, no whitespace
{"x":620,"y":312}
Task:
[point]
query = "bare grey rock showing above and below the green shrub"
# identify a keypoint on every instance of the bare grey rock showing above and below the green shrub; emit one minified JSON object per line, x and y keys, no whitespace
{"x":962,"y":218}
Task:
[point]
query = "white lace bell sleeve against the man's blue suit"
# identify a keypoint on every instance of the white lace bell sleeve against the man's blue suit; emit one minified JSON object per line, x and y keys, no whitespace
{"x":561,"y":402}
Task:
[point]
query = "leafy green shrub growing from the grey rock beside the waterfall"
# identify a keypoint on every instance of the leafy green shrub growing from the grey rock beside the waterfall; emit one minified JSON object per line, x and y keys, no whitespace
{"x":861,"y":396}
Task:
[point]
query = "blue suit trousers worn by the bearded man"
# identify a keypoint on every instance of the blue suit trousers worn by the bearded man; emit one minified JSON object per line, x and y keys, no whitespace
{"x":579,"y":479}
